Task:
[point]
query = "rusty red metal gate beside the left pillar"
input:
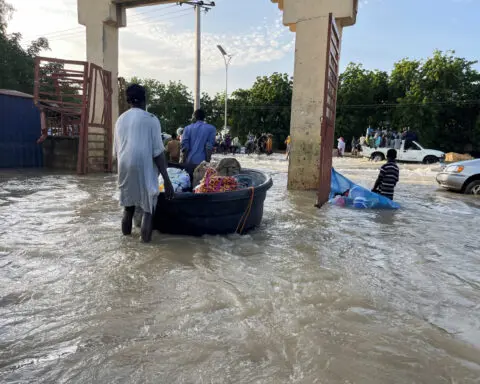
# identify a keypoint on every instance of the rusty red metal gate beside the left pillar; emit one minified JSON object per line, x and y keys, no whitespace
{"x":69,"y":95}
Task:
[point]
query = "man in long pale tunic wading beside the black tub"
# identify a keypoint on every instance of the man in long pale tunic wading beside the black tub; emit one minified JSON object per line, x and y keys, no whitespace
{"x":140,"y":153}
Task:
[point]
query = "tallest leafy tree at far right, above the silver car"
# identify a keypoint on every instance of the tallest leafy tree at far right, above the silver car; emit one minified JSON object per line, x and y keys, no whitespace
{"x":441,"y":101}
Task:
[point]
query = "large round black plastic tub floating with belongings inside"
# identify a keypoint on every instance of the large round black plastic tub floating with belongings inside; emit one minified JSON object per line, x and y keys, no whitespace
{"x":214,"y":213}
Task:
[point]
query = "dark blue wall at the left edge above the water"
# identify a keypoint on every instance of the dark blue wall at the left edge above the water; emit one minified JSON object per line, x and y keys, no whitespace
{"x":20,"y":129}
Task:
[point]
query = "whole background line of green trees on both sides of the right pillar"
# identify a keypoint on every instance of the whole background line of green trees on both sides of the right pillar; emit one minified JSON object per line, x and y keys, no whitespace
{"x":439,"y":98}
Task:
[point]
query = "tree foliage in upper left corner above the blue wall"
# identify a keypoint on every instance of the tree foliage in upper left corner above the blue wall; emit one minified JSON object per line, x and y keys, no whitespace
{"x":16,"y":63}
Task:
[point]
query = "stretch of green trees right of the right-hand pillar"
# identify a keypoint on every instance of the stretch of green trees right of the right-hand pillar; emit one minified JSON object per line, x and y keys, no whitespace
{"x":439,"y":98}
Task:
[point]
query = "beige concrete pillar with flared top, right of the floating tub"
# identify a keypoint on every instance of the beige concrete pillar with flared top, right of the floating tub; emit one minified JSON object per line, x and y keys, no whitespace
{"x":310,"y":20}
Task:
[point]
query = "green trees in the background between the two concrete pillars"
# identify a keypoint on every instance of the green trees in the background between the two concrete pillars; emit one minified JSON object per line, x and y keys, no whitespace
{"x":263,"y":108}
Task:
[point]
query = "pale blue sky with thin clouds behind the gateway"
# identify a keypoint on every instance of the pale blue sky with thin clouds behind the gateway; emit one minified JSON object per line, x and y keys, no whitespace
{"x":159,"y":40}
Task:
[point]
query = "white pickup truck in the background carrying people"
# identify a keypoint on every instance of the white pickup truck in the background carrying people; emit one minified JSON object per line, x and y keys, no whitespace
{"x":414,"y":154}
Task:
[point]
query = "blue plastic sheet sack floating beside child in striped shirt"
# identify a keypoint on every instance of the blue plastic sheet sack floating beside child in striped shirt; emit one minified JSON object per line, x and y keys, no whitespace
{"x":345,"y":193}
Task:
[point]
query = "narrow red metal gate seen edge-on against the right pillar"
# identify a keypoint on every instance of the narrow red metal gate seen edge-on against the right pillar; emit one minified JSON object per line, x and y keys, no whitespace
{"x":329,"y":112}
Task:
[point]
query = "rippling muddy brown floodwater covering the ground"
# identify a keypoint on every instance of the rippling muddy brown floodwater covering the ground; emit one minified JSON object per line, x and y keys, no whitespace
{"x":313,"y":296}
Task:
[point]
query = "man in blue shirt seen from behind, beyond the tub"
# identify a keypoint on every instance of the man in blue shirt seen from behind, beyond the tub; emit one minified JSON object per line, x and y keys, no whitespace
{"x":198,"y":140}
